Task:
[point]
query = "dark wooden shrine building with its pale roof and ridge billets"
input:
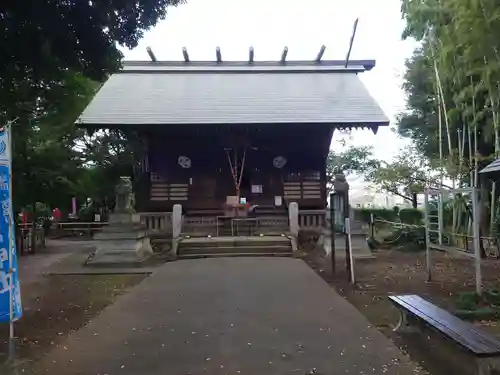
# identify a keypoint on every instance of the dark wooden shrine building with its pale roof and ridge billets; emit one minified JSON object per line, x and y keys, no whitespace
{"x":219,"y":133}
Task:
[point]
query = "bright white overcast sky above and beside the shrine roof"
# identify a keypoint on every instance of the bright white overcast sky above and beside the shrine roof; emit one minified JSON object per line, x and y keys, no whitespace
{"x":269,"y":25}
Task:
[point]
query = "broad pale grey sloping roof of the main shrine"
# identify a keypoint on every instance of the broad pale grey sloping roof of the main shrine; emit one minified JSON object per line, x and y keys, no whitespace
{"x":169,"y":93}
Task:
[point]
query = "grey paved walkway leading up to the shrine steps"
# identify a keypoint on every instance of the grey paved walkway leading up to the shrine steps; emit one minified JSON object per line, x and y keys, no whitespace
{"x":254,"y":316}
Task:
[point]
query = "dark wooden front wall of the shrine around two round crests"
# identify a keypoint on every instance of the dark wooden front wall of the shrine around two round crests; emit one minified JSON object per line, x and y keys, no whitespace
{"x":209,"y":181}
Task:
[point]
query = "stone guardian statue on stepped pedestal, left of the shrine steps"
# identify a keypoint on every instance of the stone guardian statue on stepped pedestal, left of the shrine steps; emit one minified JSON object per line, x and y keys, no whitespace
{"x":124,"y":242}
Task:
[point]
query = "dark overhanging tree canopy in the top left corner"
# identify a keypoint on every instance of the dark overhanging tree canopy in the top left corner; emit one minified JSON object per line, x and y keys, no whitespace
{"x":48,"y":37}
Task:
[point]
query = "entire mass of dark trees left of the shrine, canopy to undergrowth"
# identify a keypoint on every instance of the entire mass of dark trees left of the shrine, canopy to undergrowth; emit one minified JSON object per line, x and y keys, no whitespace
{"x":53,"y":54}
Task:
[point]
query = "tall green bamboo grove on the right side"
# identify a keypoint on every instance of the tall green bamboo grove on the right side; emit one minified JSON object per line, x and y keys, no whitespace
{"x":452,"y":83}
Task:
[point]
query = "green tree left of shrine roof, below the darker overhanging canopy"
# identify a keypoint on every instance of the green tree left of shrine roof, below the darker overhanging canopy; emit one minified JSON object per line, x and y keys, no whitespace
{"x":45,"y":161}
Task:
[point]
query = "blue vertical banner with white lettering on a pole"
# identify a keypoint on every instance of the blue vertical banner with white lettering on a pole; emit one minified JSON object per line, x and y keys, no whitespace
{"x":10,"y":291}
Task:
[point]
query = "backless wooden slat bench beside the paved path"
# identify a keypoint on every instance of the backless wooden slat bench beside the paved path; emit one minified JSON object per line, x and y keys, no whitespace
{"x":482,"y":345}
